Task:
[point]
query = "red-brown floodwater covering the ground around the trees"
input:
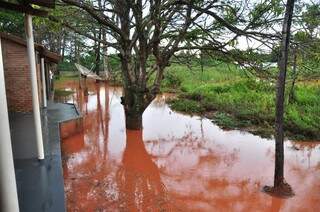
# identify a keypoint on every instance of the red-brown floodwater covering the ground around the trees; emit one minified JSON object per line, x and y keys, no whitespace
{"x":176,"y":163}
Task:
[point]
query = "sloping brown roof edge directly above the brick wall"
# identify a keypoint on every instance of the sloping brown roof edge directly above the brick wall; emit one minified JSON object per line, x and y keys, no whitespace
{"x":49,"y":56}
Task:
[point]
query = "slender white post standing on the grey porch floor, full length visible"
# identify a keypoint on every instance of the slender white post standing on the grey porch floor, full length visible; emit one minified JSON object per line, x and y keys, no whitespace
{"x":34,"y":86}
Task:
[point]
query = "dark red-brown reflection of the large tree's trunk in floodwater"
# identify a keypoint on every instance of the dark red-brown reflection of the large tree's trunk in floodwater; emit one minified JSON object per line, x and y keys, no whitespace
{"x":139,"y":179}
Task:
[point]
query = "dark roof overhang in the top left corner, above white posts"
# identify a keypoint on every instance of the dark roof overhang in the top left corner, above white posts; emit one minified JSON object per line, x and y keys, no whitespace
{"x":27,"y":6}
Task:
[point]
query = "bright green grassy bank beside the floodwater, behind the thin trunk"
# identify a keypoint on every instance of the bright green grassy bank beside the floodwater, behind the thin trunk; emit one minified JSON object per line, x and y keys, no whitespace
{"x":233,"y":100}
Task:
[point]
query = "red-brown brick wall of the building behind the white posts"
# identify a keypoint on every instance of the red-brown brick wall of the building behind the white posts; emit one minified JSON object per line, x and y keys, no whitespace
{"x":17,"y":77}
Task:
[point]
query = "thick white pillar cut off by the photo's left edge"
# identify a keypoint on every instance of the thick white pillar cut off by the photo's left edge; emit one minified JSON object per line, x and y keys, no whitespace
{"x":8,"y":187}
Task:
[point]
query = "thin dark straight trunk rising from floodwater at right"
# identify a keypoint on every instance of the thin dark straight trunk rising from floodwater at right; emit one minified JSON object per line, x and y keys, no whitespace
{"x":279,"y":181}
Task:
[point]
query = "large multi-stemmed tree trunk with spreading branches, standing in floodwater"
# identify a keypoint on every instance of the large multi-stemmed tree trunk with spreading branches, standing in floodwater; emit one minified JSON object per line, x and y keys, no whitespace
{"x":137,"y":36}
